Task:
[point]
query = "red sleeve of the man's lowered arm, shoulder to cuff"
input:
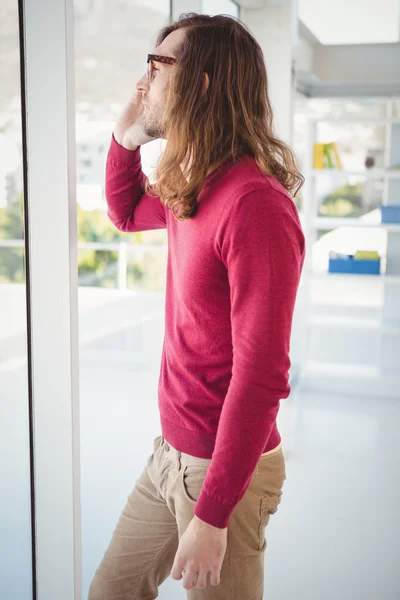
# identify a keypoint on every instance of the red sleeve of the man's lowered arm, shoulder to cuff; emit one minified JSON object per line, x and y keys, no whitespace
{"x":264,"y":253}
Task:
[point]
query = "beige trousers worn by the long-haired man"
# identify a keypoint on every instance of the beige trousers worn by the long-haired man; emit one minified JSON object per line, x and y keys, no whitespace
{"x":144,"y":543}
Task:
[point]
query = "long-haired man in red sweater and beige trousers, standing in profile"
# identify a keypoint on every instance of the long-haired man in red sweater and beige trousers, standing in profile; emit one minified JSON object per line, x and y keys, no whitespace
{"x":235,"y":253}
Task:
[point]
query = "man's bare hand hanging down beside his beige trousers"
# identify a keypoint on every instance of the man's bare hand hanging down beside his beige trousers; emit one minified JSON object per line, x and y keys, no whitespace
{"x":201,"y":551}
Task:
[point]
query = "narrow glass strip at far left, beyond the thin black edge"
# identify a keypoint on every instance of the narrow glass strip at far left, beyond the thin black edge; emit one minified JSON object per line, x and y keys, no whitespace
{"x":15,"y":497}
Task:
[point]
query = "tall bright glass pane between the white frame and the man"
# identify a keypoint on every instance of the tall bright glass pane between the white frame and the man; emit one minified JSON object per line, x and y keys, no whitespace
{"x":121,"y":276}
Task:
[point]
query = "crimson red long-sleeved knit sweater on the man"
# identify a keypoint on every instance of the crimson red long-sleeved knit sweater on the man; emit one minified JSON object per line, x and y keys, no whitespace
{"x":232,"y":278}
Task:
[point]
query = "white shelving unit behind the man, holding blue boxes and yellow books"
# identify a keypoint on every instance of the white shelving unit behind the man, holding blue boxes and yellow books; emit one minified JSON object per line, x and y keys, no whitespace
{"x":352,"y":326}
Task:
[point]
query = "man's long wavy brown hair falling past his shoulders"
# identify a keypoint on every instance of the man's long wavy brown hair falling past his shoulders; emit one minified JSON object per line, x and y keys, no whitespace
{"x":232,"y":119}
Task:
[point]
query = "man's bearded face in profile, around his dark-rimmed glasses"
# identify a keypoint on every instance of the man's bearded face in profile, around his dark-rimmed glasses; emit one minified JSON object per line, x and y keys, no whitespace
{"x":154,"y":92}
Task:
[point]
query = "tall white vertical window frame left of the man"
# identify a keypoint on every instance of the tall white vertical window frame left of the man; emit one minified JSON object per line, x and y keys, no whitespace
{"x":48,"y":90}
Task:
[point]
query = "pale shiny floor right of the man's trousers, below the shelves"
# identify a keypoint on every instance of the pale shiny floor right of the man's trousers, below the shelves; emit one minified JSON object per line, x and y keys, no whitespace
{"x":337,"y":533}
